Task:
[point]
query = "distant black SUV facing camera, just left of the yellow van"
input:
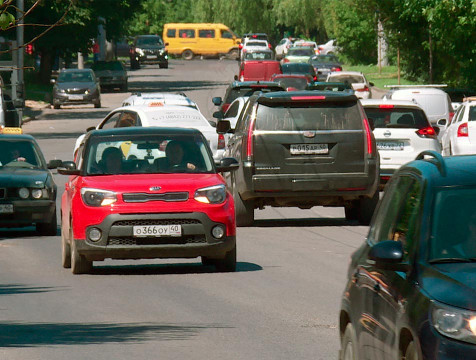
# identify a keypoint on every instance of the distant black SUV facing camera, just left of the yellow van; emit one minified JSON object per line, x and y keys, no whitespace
{"x":148,"y":49}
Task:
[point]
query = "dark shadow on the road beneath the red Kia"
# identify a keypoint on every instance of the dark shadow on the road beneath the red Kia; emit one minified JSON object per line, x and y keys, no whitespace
{"x":167,"y":269}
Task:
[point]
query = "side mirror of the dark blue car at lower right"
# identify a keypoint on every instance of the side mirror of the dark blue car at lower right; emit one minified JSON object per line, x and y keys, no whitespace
{"x":388,"y":255}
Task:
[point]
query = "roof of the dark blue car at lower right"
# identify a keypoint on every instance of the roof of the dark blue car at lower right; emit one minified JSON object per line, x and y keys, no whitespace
{"x":445,"y":171}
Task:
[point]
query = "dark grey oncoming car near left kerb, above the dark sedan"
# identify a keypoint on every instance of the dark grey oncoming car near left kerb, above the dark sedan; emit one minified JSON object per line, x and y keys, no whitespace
{"x":76,"y":86}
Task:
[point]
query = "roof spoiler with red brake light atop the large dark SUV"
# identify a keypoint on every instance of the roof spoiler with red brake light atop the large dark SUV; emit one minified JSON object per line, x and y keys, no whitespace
{"x":290,"y":96}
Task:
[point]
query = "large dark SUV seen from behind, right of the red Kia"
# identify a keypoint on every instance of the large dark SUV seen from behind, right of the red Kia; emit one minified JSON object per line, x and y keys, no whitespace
{"x":303,"y":149}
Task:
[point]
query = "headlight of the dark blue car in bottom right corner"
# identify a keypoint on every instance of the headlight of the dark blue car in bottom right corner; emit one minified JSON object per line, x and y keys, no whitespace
{"x":455,"y":323}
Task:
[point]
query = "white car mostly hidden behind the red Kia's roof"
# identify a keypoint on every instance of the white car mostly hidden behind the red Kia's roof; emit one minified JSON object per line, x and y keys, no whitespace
{"x":162,"y":116}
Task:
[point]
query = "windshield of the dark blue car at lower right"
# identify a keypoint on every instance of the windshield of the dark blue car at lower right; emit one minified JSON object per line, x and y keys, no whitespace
{"x":453,"y":230}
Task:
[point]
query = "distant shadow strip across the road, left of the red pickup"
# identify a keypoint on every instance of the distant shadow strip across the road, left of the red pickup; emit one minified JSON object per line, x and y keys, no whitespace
{"x":171,"y":86}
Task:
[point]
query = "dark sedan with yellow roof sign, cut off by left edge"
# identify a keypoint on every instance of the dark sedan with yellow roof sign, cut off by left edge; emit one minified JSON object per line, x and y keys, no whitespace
{"x":27,"y":189}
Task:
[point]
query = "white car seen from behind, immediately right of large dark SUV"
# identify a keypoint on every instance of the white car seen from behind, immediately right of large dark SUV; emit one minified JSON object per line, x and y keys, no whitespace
{"x":401,"y":130}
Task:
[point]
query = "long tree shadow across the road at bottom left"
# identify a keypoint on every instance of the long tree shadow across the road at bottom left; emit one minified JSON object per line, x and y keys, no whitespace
{"x":22,"y":334}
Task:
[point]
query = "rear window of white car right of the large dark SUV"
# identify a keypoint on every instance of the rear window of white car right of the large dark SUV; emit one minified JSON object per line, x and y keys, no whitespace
{"x":397,"y":117}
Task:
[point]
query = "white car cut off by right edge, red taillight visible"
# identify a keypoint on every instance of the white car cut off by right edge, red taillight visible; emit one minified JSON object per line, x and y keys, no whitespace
{"x":460,"y":135}
